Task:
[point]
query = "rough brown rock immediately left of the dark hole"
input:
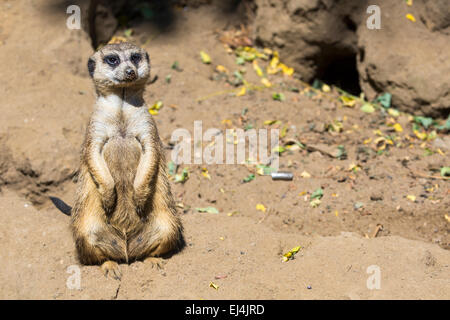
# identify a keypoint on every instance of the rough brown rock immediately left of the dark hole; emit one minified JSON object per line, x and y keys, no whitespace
{"x":310,"y":35}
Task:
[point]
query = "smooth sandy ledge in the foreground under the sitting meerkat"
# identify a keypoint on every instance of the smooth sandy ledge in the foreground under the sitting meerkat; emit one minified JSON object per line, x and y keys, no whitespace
{"x":241,"y":257}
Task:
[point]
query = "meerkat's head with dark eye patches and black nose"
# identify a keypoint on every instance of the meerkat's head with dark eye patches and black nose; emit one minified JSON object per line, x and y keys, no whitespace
{"x":119,"y":65}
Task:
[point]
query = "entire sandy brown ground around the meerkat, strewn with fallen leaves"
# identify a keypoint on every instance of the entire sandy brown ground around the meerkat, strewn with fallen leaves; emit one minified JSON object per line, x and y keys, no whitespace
{"x":47,"y":97}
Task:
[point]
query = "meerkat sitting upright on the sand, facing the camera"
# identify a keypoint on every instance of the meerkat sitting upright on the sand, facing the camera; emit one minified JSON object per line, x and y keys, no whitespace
{"x":124,"y":210}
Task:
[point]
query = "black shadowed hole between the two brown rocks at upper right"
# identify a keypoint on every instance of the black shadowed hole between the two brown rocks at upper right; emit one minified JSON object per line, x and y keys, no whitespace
{"x":342,"y":72}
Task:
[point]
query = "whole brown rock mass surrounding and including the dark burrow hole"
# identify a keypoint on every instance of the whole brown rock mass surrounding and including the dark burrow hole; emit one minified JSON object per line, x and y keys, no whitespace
{"x":329,"y":40}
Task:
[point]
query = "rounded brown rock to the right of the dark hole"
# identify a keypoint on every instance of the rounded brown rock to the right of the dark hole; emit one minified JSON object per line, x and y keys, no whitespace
{"x":406,"y":59}
